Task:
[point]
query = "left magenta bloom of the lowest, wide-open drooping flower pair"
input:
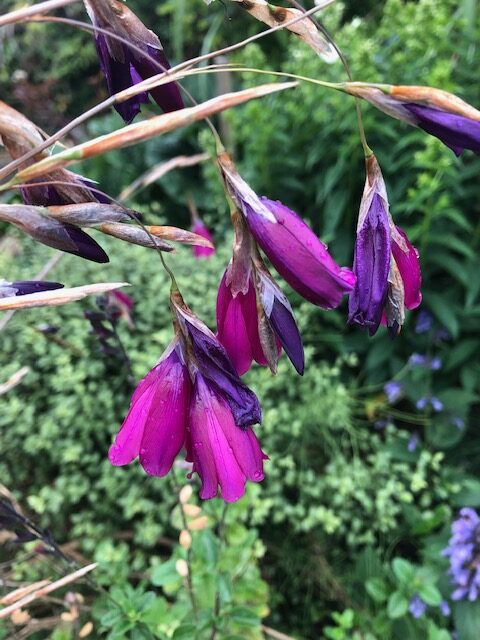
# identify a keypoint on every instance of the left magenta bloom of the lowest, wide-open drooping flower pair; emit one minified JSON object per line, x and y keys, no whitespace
{"x":155,"y":426}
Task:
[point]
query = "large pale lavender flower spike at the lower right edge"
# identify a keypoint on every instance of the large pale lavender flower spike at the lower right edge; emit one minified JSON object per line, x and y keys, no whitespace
{"x":464,"y":552}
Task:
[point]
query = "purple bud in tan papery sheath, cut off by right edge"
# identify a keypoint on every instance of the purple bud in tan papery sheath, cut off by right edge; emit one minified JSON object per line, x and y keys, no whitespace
{"x":439,"y":113}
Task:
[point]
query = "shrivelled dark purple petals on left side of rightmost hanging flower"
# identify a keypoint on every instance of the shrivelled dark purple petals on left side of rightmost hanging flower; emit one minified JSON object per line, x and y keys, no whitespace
{"x":371,"y":266}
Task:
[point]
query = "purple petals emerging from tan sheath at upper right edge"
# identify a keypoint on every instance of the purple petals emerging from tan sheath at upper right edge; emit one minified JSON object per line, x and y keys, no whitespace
{"x":456,"y":131}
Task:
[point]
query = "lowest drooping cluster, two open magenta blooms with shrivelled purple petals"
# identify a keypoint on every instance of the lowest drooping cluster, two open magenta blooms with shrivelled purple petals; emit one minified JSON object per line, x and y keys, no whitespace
{"x":194,"y":398}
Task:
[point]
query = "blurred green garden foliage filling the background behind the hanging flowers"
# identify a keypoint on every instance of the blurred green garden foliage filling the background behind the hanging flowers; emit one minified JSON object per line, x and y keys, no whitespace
{"x":372,"y":452}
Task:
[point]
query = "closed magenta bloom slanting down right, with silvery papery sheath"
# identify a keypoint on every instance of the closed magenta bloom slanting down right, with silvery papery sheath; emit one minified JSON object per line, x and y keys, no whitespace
{"x":291,"y":246}
